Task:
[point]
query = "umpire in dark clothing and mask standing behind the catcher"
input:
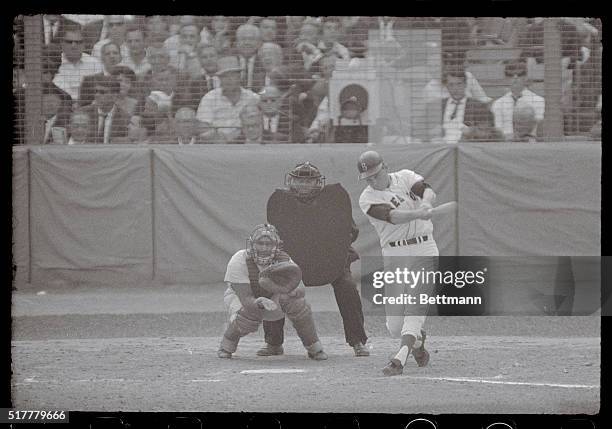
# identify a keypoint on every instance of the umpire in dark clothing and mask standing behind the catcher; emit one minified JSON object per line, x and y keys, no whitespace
{"x":316,"y":224}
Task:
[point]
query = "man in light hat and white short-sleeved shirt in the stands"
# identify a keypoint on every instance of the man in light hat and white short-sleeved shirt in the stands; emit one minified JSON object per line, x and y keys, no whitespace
{"x":219,"y":110}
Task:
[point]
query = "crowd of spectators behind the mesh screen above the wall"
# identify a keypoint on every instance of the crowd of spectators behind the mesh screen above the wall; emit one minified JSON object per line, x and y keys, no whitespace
{"x":241,"y":80}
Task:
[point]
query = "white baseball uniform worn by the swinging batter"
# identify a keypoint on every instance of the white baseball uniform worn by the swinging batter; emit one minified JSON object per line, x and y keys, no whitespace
{"x":394,"y":245}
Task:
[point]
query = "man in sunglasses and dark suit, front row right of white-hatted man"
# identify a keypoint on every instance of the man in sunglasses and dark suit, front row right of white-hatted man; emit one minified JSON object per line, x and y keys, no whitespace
{"x":276,"y":115}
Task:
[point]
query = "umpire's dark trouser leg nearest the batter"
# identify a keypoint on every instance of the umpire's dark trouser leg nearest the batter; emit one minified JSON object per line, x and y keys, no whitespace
{"x":349,"y":304}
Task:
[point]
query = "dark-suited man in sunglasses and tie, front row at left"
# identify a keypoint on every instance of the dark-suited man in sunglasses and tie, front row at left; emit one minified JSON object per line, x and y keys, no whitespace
{"x":108,"y":122}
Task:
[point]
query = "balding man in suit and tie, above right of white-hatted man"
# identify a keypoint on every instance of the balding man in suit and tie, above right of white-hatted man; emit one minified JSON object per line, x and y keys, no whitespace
{"x":248,"y":42}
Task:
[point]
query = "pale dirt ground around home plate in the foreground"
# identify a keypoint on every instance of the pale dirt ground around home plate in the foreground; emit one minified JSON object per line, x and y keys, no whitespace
{"x":165,"y":361}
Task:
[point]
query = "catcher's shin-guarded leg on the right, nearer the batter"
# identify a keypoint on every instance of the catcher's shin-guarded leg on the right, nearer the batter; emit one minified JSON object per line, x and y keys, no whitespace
{"x":300,"y":314}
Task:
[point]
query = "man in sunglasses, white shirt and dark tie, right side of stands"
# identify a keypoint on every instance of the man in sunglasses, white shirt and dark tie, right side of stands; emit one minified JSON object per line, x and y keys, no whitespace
{"x":503,"y":107}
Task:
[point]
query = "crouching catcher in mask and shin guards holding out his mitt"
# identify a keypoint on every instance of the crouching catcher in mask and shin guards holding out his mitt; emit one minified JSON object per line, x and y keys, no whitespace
{"x":264,"y":283}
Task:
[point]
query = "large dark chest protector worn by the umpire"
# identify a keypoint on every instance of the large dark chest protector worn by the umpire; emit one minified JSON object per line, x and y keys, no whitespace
{"x":317,"y":235}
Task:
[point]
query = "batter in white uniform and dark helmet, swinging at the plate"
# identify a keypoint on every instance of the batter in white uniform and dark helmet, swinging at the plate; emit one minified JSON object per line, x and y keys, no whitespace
{"x":399,"y":207}
